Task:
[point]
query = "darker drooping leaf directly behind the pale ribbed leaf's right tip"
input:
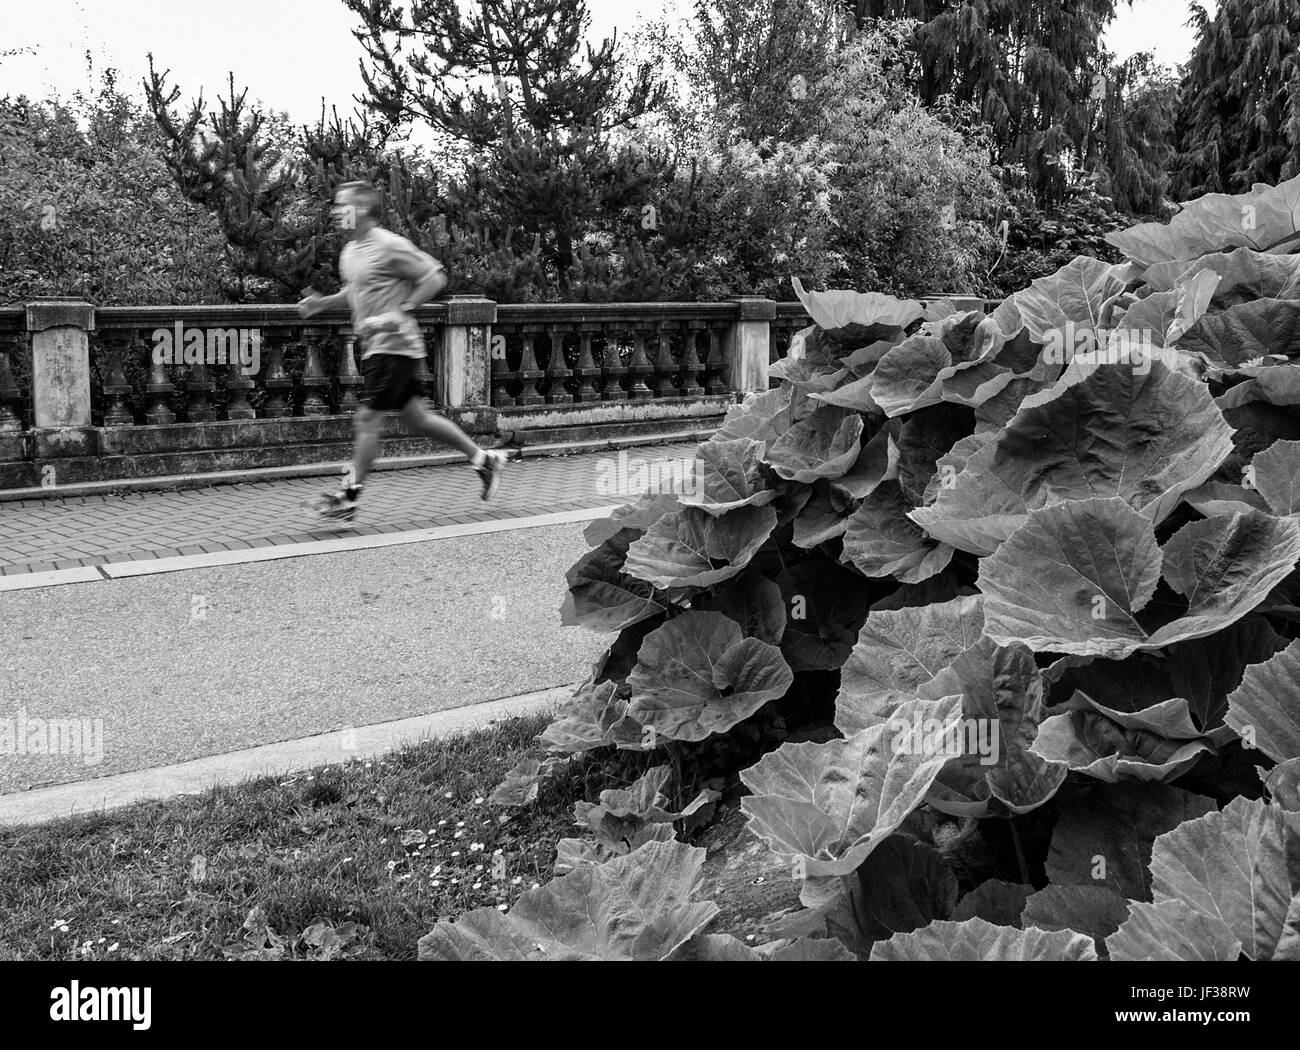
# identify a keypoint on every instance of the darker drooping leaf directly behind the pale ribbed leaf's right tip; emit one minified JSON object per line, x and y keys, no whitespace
{"x":1002,"y":705}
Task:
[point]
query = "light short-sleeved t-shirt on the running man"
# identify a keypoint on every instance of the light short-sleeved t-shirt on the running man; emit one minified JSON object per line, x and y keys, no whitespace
{"x":380,"y":271}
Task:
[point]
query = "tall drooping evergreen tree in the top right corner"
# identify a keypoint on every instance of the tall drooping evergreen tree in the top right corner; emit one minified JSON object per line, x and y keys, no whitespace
{"x":1240,"y":114}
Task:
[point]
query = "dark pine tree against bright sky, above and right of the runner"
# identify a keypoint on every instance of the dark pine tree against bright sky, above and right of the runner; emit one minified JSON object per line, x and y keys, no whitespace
{"x":508,"y":80}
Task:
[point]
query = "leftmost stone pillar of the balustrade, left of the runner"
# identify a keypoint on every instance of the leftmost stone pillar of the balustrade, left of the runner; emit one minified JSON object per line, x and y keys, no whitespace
{"x":60,"y":361}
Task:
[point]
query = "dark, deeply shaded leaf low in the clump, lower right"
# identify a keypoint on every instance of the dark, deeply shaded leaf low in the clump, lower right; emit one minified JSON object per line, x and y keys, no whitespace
{"x":1106,"y":838}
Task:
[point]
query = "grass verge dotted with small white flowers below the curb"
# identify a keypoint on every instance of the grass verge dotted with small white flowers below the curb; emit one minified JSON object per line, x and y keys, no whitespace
{"x":356,"y":861}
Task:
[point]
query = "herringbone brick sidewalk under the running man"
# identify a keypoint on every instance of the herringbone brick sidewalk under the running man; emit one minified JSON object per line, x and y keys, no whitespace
{"x":42,"y":535}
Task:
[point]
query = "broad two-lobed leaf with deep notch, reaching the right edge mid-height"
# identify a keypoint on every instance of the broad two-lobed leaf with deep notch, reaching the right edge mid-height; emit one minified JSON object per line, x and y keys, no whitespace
{"x":1074,"y":578}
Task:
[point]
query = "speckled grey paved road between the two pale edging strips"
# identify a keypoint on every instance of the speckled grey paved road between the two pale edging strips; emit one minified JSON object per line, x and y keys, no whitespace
{"x":188,"y":665}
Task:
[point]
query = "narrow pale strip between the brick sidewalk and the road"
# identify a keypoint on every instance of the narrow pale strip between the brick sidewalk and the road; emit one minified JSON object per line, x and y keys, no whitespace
{"x":336,"y":545}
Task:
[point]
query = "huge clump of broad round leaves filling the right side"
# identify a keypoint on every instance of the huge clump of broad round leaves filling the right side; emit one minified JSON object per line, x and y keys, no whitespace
{"x":1042,"y":566}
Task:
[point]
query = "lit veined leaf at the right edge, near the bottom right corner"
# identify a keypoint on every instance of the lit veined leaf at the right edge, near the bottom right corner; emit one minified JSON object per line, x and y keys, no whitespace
{"x":1240,"y":866}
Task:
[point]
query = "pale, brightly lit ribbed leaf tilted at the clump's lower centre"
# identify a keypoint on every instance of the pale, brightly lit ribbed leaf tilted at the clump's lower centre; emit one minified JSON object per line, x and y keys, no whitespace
{"x":833,"y":804}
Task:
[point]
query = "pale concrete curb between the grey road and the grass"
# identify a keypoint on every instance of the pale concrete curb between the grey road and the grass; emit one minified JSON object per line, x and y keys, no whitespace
{"x":287,"y":757}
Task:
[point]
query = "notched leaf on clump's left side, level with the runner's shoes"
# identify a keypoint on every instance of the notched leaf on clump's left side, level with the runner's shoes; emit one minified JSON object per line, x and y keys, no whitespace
{"x":692,"y":549}
